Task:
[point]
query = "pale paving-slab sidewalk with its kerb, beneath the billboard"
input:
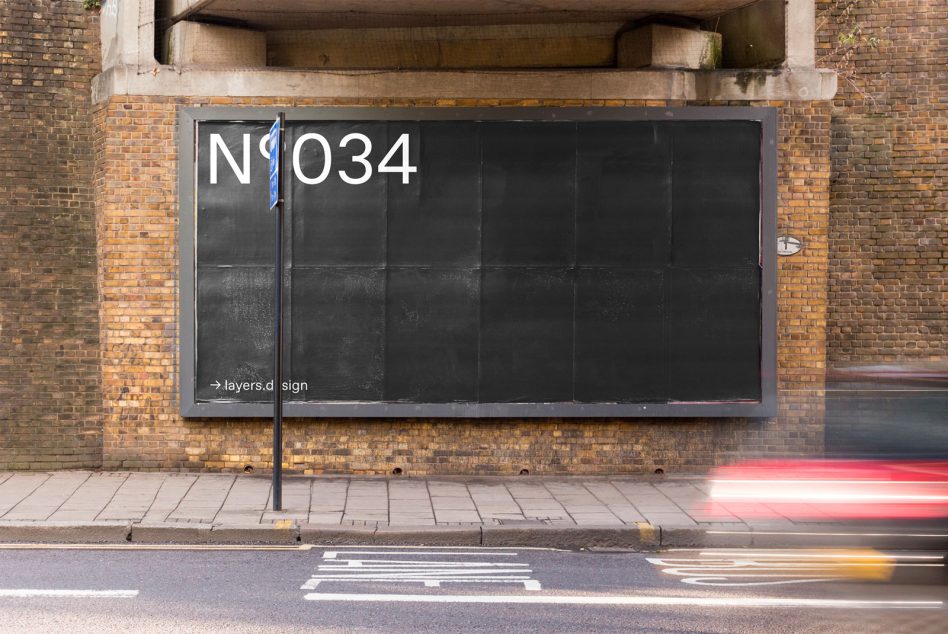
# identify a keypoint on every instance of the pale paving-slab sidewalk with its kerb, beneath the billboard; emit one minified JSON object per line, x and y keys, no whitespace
{"x":642,"y":513}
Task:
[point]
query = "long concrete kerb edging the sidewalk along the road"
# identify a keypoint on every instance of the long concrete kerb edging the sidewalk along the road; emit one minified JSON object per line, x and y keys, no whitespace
{"x":639,"y":537}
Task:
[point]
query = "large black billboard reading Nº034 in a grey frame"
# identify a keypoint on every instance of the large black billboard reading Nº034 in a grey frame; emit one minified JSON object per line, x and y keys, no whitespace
{"x":482,"y":263}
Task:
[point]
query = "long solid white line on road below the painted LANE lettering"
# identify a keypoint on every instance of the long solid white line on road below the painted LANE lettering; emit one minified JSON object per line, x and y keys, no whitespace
{"x":714,"y":602}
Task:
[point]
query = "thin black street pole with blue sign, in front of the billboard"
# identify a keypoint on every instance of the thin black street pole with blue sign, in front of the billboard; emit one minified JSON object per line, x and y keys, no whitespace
{"x":276,"y":202}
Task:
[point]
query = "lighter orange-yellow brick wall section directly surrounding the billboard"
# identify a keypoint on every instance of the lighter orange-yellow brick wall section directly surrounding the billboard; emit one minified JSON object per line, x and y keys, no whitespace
{"x":137,"y":232}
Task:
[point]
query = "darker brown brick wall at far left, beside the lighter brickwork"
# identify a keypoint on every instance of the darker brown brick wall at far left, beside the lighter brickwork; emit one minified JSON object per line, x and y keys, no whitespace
{"x":50,"y":401}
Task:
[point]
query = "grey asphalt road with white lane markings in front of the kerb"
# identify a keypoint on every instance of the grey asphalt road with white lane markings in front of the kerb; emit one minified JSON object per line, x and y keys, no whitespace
{"x":393,"y":590}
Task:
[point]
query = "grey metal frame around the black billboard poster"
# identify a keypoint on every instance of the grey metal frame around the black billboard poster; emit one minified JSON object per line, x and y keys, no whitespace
{"x":188,"y":119}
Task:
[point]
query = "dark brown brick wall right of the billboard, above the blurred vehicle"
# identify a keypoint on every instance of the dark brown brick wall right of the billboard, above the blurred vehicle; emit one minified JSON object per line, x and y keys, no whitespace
{"x":888,"y":292}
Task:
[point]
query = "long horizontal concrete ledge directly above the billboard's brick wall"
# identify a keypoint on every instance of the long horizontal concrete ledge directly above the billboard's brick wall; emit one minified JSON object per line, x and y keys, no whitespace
{"x":618,"y":84}
